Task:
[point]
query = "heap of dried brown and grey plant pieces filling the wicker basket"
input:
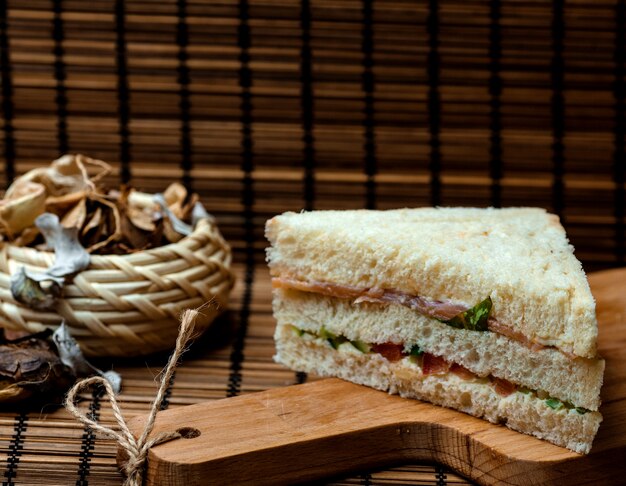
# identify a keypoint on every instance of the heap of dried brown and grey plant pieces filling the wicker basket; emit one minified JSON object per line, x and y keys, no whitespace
{"x":65,"y":208}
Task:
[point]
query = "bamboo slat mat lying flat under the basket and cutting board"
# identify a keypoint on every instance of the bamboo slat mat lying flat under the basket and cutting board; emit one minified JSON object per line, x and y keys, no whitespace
{"x":47,"y":446}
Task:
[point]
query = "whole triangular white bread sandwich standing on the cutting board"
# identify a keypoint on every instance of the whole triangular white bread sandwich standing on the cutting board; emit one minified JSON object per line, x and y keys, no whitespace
{"x":486,"y":311}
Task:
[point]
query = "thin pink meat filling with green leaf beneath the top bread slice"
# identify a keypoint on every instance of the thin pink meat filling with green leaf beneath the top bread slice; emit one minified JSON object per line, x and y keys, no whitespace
{"x":455,"y":314}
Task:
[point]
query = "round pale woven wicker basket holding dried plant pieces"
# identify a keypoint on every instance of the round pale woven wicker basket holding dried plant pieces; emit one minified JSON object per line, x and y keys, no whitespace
{"x":128,"y":305}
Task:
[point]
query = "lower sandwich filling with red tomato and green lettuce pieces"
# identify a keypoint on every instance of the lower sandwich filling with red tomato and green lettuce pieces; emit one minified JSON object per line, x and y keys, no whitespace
{"x":430,"y":364}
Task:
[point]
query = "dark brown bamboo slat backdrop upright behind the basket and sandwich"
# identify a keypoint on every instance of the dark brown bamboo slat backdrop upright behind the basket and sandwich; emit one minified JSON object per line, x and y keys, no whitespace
{"x":264,"y":106}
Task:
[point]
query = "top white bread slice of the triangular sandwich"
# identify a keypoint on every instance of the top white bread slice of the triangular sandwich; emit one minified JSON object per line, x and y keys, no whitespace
{"x":518,"y":256}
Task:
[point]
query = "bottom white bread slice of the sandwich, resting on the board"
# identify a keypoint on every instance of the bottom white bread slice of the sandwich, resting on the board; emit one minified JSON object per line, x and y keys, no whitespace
{"x":521,"y":412}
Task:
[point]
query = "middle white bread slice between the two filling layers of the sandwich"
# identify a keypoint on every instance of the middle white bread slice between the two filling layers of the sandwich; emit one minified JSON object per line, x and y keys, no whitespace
{"x":577,"y":381}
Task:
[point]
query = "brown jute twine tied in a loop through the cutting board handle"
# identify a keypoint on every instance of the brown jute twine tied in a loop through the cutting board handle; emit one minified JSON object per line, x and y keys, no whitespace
{"x":137,"y":449}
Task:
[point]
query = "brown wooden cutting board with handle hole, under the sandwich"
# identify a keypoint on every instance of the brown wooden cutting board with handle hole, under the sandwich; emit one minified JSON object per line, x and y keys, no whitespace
{"x":332,"y":427}
